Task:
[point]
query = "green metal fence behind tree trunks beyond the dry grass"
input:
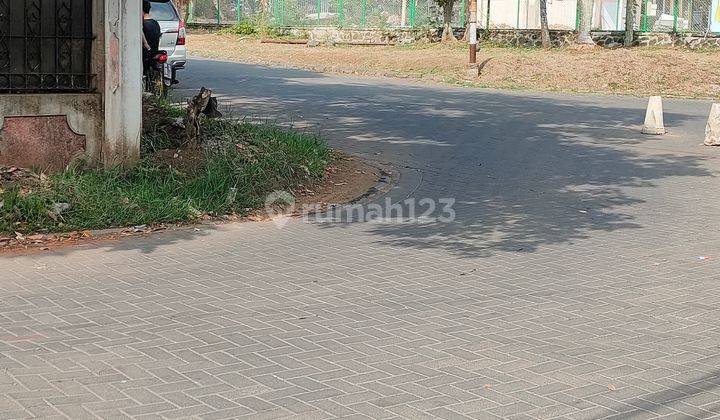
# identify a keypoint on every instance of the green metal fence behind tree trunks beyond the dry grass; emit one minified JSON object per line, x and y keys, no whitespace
{"x":680,"y":16}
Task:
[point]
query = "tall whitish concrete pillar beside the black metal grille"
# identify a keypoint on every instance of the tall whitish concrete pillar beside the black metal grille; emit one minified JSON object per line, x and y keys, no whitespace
{"x":122,"y":90}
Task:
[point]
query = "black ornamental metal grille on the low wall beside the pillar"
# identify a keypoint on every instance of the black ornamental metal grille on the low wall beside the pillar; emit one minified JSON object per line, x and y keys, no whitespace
{"x":45,"y":46}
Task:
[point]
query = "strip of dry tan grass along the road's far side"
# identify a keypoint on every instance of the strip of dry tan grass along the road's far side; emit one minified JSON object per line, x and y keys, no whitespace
{"x":664,"y":71}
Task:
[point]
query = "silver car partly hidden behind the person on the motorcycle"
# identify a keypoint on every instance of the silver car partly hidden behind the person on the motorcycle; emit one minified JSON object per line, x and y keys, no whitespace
{"x":173,"y":33}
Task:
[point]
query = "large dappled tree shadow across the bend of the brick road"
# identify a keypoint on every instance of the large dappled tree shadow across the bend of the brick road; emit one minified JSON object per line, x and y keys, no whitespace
{"x":526,"y":169}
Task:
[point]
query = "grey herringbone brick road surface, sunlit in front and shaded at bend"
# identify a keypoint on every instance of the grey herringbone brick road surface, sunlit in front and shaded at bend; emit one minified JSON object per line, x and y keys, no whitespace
{"x":568,"y":286}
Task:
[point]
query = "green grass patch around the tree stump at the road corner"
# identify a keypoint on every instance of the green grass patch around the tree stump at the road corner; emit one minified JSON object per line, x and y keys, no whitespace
{"x":239,"y":166}
